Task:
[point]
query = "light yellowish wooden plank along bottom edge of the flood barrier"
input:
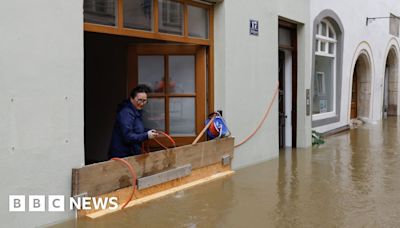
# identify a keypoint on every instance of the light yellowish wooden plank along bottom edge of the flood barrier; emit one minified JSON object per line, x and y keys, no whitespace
{"x":123,"y":194}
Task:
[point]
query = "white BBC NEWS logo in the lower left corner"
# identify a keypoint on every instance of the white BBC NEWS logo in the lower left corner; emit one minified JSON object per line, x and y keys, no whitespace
{"x":37,"y":203}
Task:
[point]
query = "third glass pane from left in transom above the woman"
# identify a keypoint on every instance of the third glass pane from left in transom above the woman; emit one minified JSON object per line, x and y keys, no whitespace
{"x":170,"y":17}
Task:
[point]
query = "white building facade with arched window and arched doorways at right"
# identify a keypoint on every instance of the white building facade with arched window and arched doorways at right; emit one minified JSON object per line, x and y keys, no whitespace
{"x":355,"y":62}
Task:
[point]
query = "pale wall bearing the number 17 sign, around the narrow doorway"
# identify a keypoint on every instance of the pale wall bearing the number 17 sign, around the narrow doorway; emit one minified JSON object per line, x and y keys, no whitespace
{"x":246,"y":72}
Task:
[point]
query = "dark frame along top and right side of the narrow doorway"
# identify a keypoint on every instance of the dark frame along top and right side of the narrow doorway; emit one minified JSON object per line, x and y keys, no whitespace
{"x":293,"y":47}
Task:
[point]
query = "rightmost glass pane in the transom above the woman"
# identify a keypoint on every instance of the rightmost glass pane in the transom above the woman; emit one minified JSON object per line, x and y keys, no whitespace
{"x":198,"y":22}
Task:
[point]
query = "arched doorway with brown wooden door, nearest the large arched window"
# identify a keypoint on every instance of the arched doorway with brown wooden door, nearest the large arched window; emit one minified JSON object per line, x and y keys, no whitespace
{"x":361,"y":88}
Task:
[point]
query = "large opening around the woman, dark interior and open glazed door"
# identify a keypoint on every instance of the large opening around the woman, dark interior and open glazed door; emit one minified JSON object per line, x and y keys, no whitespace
{"x":123,"y":62}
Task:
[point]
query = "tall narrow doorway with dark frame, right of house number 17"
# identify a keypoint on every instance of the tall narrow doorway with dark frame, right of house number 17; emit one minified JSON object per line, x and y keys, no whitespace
{"x":287,"y":37}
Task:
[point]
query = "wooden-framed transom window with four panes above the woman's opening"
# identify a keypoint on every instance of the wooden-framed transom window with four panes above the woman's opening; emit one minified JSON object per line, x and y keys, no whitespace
{"x":171,"y":20}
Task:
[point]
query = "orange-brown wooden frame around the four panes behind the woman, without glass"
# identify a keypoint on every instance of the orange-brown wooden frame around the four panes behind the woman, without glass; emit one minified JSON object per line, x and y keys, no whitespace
{"x":200,"y":81}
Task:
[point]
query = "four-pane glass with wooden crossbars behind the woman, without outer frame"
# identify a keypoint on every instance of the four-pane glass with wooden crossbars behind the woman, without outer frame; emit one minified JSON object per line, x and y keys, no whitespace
{"x":178,"y":98}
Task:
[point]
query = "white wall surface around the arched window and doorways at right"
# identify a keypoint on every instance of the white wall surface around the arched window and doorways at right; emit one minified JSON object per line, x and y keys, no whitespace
{"x":375,"y":37}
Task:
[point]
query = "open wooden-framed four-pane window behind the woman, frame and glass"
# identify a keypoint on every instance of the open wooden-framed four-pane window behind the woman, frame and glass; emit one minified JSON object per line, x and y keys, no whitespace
{"x":176,"y":76}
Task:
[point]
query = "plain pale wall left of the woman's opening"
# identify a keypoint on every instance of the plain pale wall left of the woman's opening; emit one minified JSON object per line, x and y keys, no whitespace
{"x":41,"y":102}
